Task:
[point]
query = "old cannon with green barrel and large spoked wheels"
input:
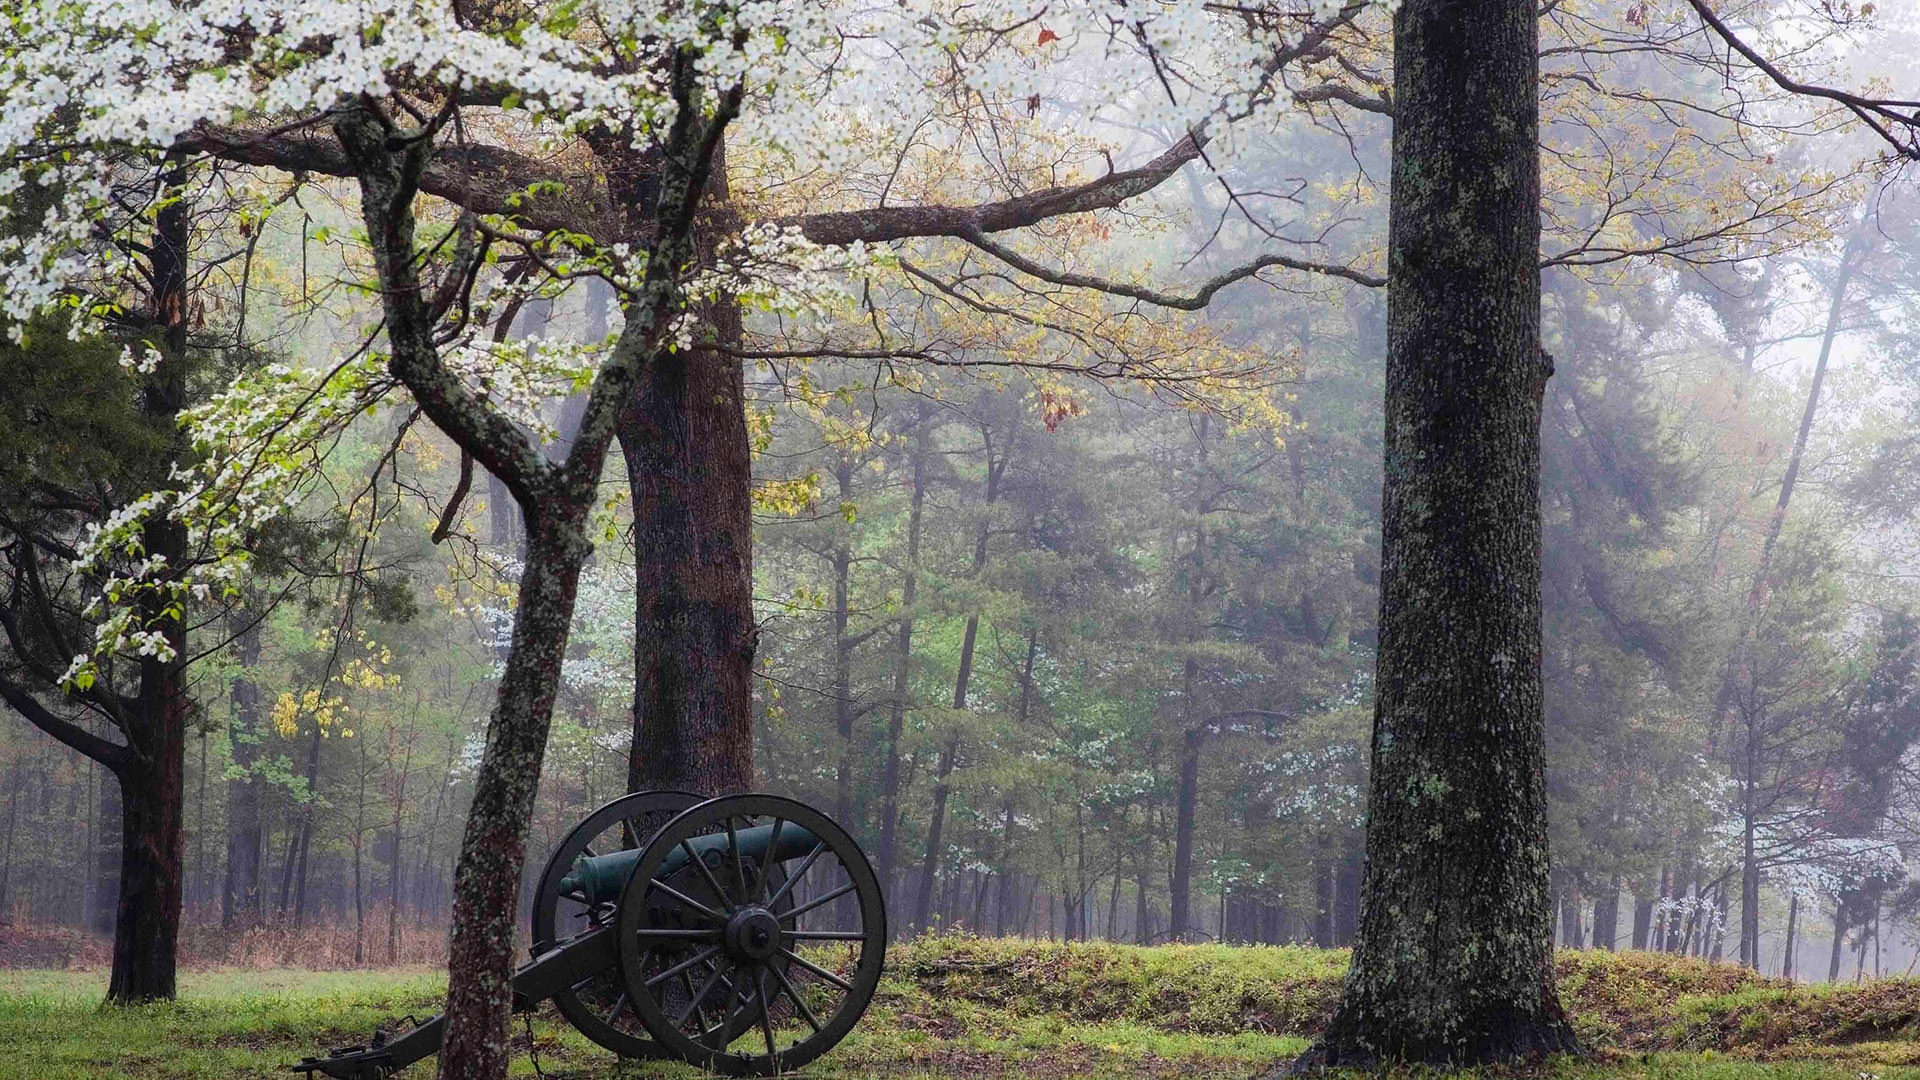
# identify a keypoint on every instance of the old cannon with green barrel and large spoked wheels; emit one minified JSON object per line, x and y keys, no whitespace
{"x":744,"y":935}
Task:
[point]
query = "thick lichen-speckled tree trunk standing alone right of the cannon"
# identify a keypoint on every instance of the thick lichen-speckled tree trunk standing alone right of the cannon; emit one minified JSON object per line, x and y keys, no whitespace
{"x":1454,"y":958}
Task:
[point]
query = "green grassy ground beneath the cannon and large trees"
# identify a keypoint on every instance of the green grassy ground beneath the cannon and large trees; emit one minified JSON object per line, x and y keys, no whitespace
{"x":961,"y":1008}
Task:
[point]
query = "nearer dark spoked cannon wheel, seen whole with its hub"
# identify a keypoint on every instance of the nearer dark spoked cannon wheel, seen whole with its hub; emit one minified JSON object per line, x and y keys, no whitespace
{"x":794,"y":970}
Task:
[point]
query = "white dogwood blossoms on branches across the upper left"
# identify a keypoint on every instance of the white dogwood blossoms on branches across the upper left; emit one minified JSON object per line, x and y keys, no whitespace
{"x":107,"y":103}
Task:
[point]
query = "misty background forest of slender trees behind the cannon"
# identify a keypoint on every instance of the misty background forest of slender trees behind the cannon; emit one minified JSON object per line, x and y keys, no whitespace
{"x":1065,"y":593}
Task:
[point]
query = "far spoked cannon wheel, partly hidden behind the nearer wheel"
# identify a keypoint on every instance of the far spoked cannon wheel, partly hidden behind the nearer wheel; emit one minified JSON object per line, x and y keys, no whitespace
{"x":598,"y":1008}
